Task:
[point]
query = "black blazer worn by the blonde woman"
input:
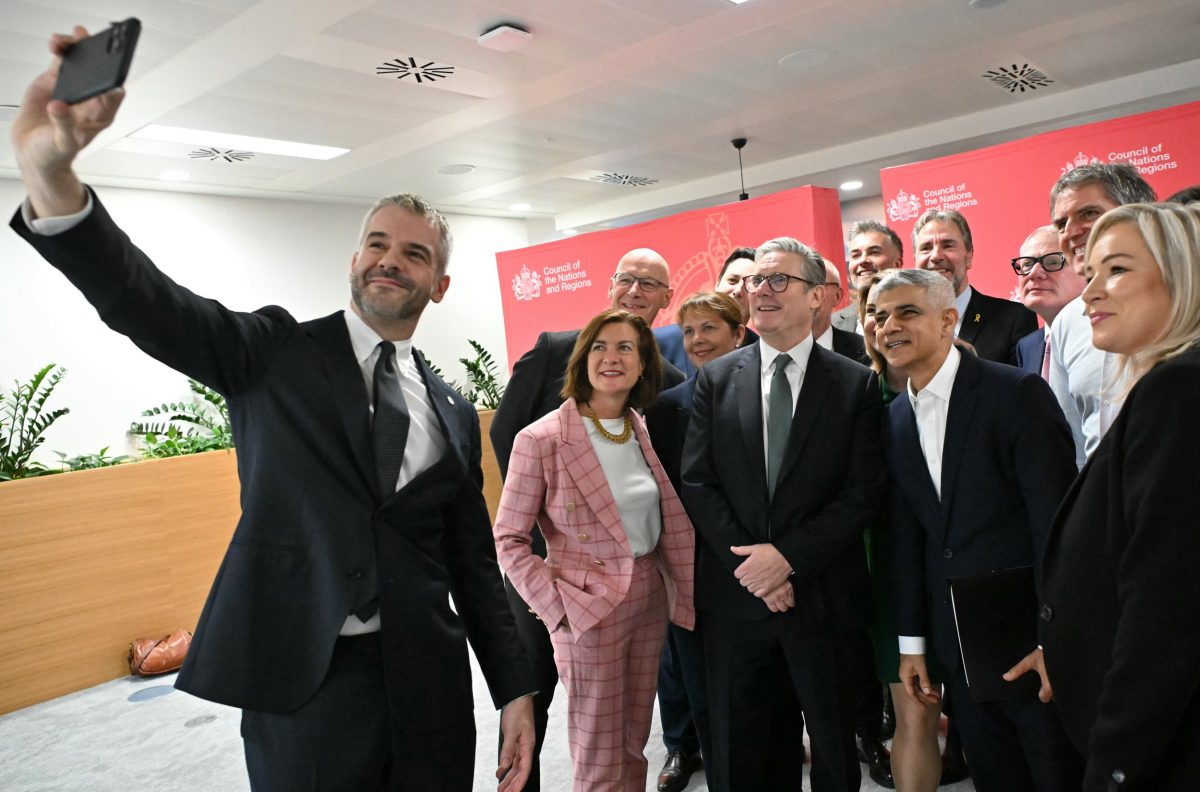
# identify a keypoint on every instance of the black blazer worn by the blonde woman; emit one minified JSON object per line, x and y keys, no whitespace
{"x":1121,"y":590}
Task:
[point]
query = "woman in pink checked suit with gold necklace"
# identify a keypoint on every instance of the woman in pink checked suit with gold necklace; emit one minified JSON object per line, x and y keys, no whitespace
{"x":620,"y":548}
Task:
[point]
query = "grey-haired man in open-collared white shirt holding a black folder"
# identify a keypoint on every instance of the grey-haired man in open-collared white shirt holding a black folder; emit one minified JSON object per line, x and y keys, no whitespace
{"x":963,"y":506}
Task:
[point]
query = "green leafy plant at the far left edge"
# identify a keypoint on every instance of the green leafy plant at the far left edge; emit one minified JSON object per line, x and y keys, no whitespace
{"x":23,"y":424}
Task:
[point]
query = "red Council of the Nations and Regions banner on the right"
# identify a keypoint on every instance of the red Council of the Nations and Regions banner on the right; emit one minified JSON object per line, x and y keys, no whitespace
{"x":1004,"y":191}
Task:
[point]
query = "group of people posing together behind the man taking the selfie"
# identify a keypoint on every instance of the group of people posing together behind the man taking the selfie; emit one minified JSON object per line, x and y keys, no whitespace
{"x":843,"y":472}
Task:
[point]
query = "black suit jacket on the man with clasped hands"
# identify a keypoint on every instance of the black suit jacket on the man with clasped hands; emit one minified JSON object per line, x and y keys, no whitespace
{"x":830,"y":490}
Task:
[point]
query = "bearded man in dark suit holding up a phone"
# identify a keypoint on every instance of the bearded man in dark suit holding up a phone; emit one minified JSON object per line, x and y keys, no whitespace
{"x":329,"y":622}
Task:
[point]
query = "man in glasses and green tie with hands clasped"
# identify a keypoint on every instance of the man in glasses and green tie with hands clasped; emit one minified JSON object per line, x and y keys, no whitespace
{"x":781,"y":477}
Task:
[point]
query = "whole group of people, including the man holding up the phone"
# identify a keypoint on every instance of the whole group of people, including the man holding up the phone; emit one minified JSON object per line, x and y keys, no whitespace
{"x":761,"y":543}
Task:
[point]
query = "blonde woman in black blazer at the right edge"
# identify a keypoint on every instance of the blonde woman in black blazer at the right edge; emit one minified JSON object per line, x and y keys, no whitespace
{"x":1121,"y":579}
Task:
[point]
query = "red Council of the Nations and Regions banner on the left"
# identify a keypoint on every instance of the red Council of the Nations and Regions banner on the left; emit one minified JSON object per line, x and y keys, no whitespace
{"x":561,"y":285}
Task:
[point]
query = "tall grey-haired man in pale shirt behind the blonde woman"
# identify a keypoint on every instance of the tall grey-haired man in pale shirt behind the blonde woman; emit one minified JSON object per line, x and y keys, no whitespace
{"x":1081,"y":374}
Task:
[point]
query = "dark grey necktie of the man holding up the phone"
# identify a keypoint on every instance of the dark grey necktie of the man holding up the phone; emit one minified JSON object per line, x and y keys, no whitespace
{"x":389,"y":435}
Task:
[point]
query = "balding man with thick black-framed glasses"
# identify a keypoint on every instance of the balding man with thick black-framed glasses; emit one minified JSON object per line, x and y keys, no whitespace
{"x":1046,"y":285}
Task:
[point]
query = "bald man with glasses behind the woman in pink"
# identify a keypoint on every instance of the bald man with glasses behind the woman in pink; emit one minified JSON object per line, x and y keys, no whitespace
{"x":641,"y":285}
